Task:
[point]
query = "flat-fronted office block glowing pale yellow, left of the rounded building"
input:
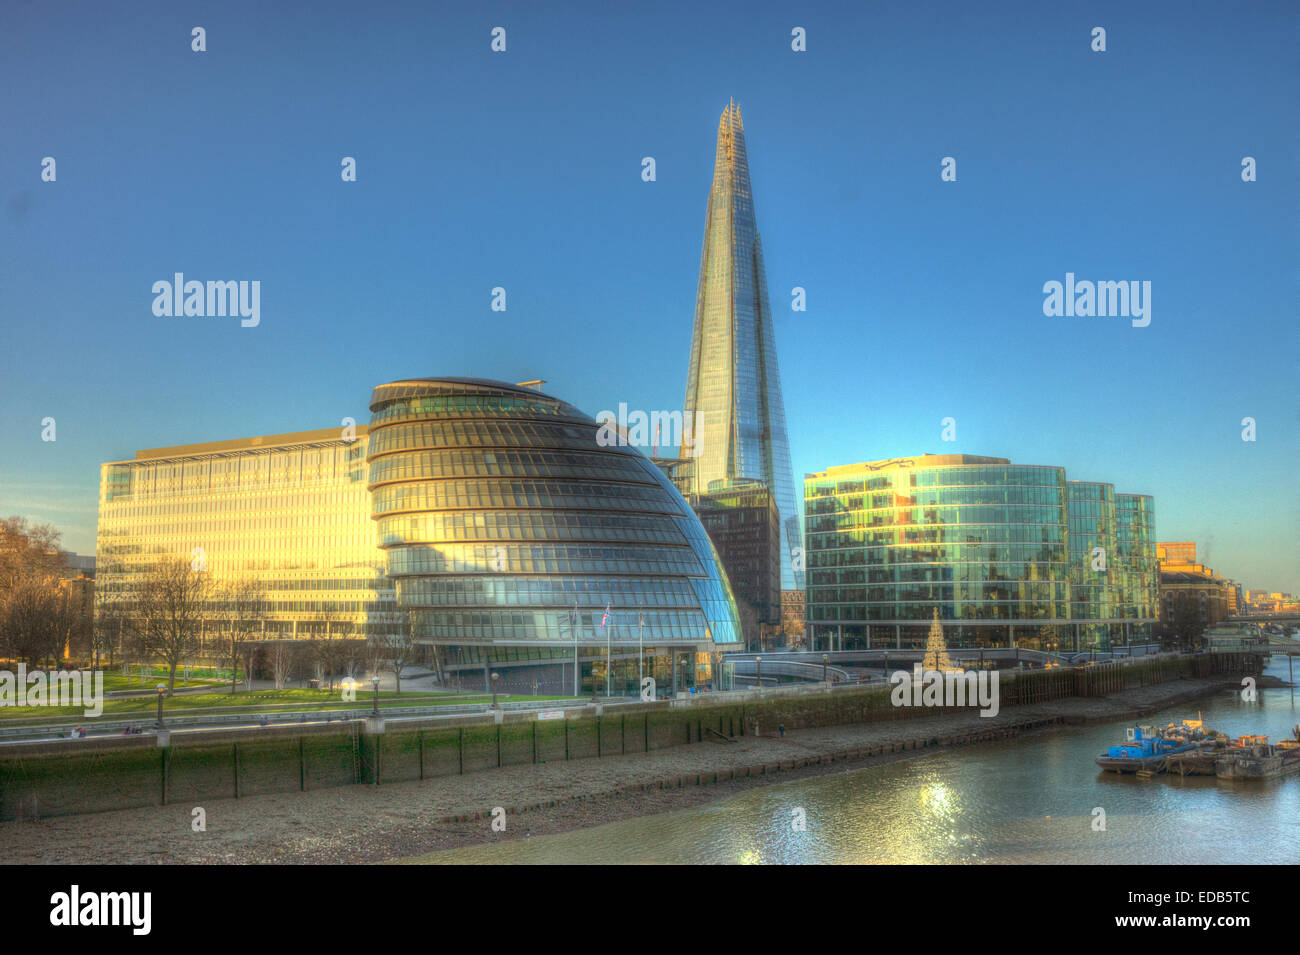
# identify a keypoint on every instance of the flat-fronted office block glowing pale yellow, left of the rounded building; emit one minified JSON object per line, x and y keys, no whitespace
{"x":288,"y":513}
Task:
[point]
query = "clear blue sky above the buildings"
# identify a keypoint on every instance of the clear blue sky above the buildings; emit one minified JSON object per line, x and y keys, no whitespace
{"x":523,"y":170}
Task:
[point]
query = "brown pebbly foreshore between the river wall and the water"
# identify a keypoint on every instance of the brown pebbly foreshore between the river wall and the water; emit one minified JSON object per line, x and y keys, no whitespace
{"x":358,"y":824}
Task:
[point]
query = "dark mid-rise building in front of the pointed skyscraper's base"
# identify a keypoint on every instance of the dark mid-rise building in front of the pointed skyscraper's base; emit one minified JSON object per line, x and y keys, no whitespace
{"x":744,"y":524}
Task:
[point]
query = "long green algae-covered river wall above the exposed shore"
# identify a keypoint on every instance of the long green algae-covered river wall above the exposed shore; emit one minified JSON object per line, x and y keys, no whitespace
{"x":85,"y":776}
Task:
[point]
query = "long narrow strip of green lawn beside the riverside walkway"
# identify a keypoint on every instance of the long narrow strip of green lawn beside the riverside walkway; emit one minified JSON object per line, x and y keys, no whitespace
{"x":257,"y":701}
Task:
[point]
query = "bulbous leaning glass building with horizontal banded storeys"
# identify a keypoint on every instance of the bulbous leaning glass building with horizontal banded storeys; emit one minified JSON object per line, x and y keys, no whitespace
{"x":519,"y":542}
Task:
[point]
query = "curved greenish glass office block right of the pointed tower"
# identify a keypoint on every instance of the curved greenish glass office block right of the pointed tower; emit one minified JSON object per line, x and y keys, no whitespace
{"x":1004,"y":552}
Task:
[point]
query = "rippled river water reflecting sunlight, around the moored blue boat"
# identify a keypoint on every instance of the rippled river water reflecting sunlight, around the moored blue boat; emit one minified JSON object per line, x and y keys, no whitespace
{"x":1028,"y":801}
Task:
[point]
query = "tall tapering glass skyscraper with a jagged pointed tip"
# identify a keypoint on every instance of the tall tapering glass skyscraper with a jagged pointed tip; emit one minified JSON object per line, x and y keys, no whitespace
{"x":734,"y":388}
